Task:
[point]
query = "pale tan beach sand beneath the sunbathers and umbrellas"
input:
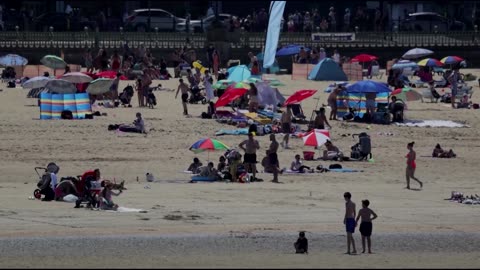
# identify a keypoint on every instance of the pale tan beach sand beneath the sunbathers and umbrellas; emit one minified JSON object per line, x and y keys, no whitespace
{"x":177,"y":209}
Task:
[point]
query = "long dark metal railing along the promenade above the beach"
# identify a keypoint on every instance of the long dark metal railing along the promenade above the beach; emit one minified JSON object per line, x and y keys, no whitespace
{"x":163,"y":40}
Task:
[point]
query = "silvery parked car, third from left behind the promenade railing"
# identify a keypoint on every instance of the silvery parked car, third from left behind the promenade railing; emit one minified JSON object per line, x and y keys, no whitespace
{"x":159,"y":18}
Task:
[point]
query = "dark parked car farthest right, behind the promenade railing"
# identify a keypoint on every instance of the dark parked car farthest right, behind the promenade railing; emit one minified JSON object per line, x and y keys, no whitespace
{"x":426,"y":21}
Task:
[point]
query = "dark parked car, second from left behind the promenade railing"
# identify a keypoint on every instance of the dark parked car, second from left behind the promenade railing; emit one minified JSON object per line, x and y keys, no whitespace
{"x":61,"y":22}
